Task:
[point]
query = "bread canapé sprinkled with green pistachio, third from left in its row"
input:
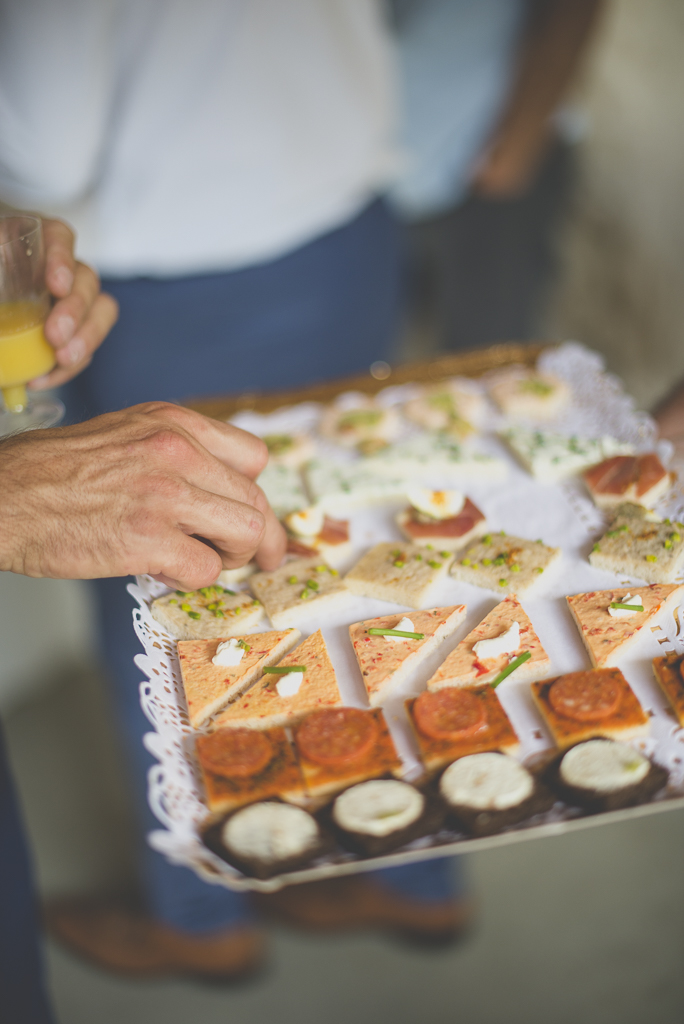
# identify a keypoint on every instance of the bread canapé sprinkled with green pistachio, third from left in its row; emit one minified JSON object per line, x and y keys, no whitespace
{"x":403,"y":574}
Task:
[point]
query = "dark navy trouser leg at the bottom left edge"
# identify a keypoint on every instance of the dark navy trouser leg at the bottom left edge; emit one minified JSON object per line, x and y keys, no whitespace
{"x":23,"y":999}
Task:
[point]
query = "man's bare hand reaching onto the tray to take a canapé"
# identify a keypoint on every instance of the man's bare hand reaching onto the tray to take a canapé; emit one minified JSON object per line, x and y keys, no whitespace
{"x":140,"y":491}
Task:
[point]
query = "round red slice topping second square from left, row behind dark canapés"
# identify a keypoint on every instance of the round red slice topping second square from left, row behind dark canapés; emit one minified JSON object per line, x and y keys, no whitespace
{"x":337,"y":736}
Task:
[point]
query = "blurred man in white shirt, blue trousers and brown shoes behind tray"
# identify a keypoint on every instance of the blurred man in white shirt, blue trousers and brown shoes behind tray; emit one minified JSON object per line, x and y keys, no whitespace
{"x":224,"y":163}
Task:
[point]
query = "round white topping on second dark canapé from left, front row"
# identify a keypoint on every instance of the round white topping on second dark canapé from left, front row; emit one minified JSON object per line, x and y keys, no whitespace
{"x":379,"y":807}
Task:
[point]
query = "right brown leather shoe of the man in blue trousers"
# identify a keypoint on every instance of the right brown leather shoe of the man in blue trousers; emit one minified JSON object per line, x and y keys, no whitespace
{"x":356,"y":903}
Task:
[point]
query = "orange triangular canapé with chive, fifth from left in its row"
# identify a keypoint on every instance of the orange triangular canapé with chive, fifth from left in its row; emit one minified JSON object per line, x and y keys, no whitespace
{"x":607,"y":637}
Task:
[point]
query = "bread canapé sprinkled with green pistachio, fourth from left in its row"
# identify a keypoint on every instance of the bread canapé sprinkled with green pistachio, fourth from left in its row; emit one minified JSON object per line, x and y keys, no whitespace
{"x":505,"y":565}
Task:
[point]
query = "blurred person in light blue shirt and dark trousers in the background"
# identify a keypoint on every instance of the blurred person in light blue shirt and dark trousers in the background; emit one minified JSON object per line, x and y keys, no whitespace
{"x":489,"y":163}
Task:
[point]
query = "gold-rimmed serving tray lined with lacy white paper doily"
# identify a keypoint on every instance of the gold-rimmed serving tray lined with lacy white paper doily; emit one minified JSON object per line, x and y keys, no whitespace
{"x":562,"y":515}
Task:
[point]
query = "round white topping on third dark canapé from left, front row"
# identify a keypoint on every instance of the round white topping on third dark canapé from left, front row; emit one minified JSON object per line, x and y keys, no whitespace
{"x":487,"y":783}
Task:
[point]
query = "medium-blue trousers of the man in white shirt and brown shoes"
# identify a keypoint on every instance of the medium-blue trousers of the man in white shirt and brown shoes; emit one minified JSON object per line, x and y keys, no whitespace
{"x":326,"y":311}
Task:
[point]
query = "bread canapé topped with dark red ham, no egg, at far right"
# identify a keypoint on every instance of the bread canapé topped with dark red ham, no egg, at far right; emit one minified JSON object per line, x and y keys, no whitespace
{"x":642,"y":480}
